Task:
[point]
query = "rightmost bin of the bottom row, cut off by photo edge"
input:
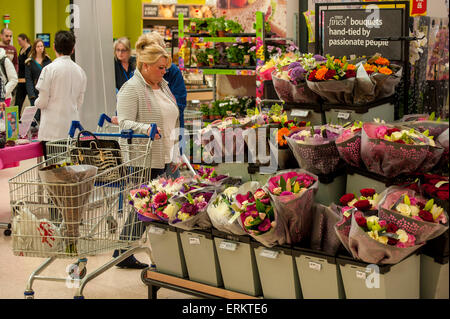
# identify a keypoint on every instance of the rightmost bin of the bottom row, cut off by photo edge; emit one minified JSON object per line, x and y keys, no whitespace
{"x":434,"y":271}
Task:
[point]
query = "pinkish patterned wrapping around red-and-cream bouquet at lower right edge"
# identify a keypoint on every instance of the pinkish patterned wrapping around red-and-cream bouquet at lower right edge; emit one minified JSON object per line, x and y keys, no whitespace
{"x":422,"y":230}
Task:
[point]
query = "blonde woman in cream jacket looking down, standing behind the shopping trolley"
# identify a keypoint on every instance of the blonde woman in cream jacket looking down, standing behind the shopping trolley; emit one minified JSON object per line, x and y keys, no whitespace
{"x":146,"y":99}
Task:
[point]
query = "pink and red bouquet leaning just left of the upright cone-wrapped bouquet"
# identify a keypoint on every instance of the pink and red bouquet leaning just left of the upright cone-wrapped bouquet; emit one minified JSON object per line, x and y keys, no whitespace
{"x":257,"y":216}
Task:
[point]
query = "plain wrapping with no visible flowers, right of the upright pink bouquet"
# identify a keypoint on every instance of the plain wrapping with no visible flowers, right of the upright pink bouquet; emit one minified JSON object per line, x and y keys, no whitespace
{"x":323,"y":235}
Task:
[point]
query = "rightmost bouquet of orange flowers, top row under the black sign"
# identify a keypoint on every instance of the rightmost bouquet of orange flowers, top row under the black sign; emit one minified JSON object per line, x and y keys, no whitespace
{"x":385,"y":75}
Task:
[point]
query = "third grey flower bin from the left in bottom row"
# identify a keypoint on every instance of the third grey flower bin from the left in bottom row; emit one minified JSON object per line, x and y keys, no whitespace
{"x":237,"y":263}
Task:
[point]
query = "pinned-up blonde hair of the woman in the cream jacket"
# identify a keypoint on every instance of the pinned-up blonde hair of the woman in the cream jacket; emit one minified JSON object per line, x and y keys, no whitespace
{"x":149,"y":50}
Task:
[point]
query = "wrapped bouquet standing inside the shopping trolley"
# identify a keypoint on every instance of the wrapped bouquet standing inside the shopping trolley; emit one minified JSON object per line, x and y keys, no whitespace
{"x":69,"y":187}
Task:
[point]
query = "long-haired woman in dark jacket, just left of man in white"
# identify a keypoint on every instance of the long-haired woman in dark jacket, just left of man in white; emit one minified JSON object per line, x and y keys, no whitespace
{"x":33,"y":67}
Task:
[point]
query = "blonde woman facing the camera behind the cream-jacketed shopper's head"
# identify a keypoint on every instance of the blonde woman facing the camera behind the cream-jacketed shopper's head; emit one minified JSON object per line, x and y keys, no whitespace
{"x":124,"y":63}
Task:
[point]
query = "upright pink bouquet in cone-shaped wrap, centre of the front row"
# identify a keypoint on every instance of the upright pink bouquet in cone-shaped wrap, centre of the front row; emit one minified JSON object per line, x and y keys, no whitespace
{"x":292,"y":194}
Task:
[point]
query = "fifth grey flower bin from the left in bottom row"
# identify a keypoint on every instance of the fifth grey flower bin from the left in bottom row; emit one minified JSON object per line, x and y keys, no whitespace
{"x":319,"y":274}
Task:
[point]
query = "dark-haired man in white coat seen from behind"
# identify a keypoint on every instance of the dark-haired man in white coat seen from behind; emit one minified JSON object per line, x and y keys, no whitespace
{"x":61,"y":87}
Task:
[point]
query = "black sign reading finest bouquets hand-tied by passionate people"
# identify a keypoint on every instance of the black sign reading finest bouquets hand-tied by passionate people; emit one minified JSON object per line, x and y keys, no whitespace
{"x":348,"y":32}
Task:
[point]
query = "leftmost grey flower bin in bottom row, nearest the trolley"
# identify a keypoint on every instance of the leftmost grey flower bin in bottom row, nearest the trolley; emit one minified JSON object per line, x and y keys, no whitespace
{"x":167,"y":249}
